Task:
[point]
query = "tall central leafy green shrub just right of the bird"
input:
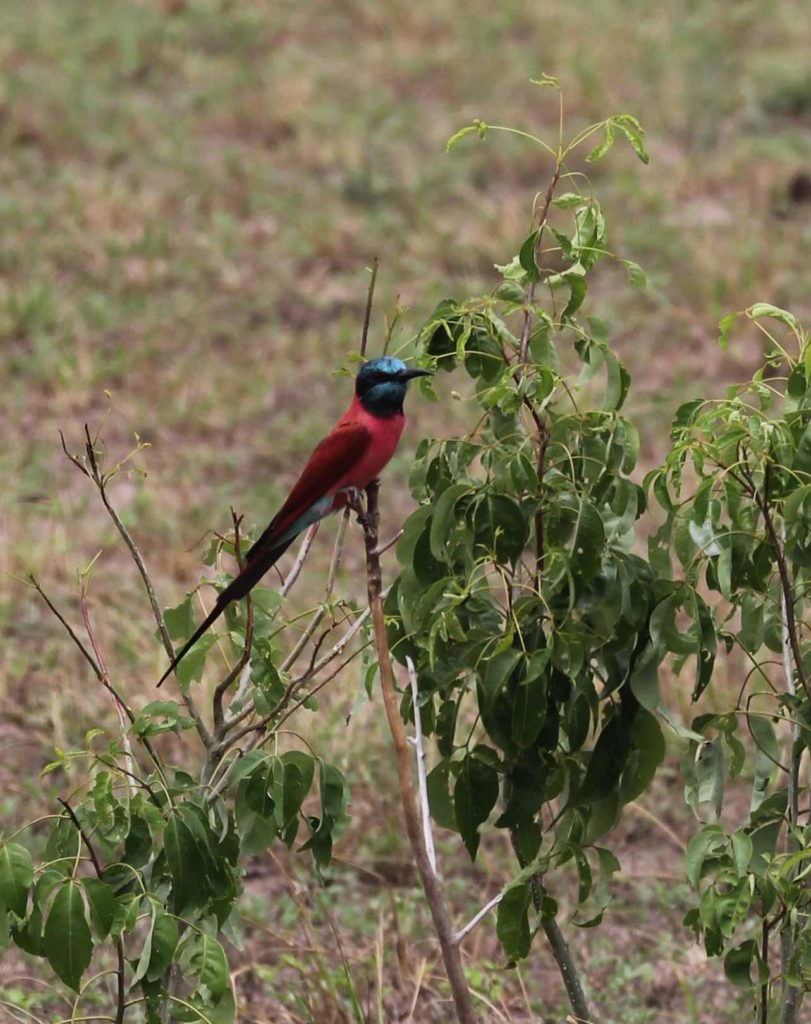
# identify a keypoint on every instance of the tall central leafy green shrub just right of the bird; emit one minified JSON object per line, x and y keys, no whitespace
{"x":532,"y":621}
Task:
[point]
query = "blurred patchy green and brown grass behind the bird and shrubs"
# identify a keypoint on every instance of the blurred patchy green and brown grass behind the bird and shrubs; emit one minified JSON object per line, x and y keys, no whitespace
{"x":190,"y":194}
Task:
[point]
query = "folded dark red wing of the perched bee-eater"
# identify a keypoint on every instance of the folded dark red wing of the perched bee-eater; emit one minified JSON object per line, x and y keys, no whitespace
{"x":331,"y":460}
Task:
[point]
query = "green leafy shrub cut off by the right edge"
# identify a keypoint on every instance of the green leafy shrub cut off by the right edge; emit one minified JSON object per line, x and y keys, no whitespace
{"x":736,"y":493}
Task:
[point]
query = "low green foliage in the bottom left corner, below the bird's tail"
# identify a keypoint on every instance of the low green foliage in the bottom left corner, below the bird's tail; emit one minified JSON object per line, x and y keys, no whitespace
{"x":149,"y":860}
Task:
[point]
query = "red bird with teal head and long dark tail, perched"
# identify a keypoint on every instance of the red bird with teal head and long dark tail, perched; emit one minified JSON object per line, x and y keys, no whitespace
{"x":348,"y":460}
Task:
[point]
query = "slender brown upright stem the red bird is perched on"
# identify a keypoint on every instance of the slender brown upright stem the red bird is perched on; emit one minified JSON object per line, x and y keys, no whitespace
{"x":442,"y":920}
